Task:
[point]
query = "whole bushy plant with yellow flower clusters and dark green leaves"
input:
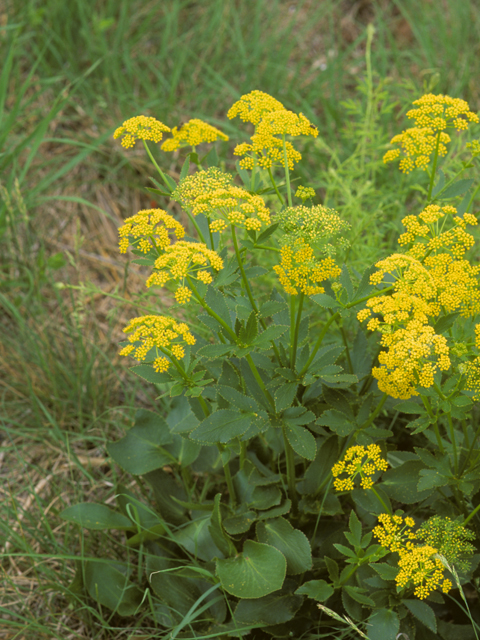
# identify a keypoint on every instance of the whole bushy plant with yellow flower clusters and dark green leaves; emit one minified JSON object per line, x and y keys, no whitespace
{"x":302,"y":402}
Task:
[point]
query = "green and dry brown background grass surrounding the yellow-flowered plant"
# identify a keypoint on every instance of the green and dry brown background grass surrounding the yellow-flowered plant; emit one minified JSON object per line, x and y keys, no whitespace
{"x":66,"y":186}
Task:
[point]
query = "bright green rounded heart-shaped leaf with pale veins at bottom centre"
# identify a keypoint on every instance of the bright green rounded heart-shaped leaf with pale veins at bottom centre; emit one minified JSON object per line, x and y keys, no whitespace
{"x":259,"y":570}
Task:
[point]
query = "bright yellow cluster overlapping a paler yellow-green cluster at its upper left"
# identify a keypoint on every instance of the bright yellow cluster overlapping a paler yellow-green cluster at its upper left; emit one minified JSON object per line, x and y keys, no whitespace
{"x":232,"y":206}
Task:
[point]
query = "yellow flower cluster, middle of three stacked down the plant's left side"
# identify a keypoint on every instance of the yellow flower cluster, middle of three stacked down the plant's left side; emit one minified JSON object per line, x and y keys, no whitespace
{"x":184,"y":259}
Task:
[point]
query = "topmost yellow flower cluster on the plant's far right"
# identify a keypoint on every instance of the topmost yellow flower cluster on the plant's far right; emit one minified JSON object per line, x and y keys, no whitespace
{"x":433,"y":115}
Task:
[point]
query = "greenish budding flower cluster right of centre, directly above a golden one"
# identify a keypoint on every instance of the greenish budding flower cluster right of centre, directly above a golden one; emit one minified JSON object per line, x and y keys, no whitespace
{"x":310,"y":224}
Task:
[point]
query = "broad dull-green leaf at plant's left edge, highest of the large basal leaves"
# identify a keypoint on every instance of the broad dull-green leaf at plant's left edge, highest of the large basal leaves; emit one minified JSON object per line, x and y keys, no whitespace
{"x":140,"y":451}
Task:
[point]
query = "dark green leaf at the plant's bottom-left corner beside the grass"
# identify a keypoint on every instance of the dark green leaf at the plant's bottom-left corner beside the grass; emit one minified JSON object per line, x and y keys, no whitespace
{"x":108,"y":584}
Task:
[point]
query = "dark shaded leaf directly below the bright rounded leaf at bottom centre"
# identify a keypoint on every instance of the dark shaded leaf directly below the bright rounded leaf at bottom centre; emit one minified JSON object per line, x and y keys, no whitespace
{"x":275,"y":608}
